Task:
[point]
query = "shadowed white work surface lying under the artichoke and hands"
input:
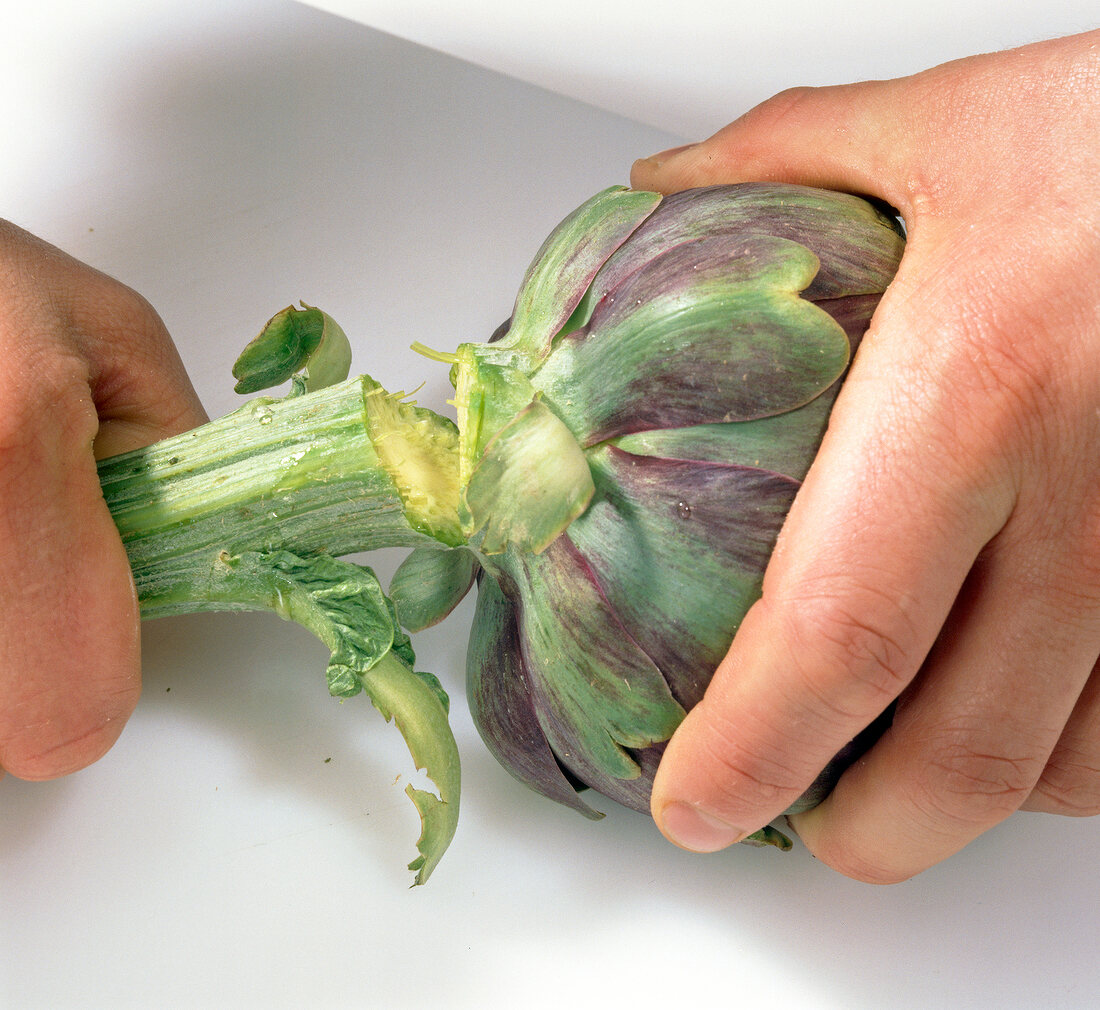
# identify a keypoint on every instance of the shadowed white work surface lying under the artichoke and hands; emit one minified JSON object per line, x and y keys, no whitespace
{"x":229,"y":160}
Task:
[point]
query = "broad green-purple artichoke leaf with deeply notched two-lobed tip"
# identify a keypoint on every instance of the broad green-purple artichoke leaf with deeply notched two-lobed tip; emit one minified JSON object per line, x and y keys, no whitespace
{"x":710,"y":332}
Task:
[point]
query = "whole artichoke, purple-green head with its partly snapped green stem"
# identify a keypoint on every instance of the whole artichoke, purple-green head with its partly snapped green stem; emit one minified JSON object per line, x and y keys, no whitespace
{"x":625,"y":451}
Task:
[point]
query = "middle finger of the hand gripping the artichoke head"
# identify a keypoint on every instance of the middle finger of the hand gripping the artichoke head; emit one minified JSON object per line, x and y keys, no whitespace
{"x":971,"y":742}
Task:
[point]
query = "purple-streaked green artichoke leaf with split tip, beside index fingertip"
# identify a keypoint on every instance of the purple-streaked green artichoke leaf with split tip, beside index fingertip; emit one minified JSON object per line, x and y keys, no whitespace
{"x":596,"y":691}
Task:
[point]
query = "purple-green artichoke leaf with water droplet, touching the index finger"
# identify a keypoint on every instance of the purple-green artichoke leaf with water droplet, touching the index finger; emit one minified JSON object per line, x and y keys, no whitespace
{"x":663,"y":535}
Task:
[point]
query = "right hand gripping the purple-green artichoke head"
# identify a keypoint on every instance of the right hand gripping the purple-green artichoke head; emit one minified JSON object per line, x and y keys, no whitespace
{"x":945,"y":547}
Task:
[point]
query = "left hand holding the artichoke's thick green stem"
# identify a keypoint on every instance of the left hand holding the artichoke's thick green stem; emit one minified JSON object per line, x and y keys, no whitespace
{"x":90,"y":371}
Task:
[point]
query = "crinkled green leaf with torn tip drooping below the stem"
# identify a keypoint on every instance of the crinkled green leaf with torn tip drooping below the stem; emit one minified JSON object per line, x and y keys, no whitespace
{"x":344,"y":606}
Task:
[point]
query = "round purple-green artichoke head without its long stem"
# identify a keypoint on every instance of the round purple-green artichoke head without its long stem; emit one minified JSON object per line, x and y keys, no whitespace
{"x":631,"y":443}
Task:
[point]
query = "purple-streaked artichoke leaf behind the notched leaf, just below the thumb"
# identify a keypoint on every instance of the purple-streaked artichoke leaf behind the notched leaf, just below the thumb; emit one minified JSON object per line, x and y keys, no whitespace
{"x":859,"y":246}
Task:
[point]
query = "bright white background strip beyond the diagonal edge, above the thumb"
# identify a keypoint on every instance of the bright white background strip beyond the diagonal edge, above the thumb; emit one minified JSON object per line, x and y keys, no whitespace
{"x":690,"y":67}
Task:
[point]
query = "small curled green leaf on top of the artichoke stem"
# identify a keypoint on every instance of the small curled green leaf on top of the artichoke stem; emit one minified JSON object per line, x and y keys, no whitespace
{"x":303,"y":344}
